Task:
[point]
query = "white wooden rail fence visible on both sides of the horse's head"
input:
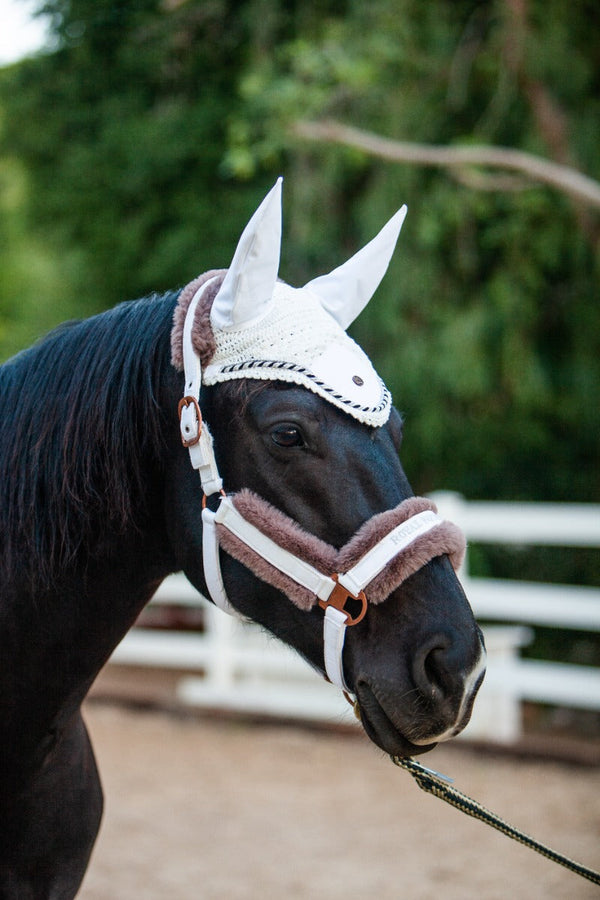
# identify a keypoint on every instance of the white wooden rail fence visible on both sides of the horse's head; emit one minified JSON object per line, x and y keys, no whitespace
{"x":233,"y":665}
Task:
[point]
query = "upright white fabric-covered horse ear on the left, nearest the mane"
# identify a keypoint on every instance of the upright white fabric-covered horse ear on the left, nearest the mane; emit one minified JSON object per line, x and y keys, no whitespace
{"x":248,"y":286}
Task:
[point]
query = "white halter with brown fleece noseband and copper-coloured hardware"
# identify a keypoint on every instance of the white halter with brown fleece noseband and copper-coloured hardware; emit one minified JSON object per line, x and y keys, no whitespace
{"x":379,"y":557}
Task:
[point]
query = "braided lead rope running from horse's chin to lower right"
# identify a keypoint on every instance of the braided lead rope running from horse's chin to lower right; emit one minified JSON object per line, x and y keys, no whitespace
{"x":434,"y":783}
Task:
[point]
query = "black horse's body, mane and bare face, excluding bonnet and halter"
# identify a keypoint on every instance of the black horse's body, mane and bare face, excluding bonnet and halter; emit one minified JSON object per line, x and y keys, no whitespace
{"x":99,"y":503}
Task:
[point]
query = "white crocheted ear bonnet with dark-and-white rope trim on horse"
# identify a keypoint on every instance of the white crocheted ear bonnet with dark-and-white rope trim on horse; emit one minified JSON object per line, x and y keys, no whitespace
{"x":248,"y":324}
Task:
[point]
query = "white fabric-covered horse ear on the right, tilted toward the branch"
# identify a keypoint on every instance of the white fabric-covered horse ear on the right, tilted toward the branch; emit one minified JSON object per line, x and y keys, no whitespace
{"x":345,"y":291}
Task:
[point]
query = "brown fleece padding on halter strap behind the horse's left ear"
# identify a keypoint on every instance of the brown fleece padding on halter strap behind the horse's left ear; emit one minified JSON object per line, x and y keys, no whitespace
{"x":202,"y":334}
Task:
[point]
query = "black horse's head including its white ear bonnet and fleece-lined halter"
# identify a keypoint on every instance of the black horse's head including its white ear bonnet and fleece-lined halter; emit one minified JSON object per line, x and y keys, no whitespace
{"x":319,"y":537}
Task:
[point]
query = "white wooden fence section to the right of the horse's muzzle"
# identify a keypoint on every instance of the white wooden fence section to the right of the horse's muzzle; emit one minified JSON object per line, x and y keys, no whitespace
{"x":511,"y":679}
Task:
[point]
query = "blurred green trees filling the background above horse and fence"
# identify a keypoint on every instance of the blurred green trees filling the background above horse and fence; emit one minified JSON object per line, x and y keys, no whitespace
{"x":132,"y":153}
